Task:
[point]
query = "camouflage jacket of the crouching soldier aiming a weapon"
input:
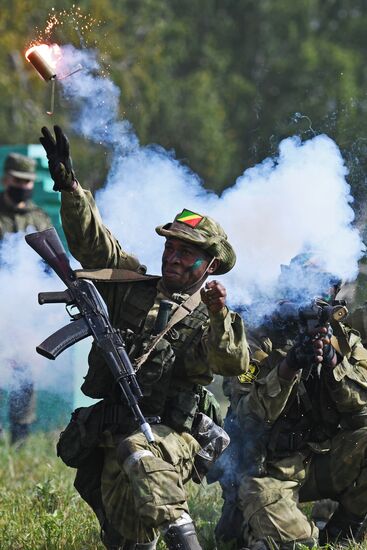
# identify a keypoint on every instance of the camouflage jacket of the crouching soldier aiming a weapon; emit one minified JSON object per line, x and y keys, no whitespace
{"x":310,"y":411}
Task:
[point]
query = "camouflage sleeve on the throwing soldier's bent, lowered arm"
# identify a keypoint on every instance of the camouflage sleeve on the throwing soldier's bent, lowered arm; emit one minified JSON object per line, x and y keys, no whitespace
{"x":221,"y":350}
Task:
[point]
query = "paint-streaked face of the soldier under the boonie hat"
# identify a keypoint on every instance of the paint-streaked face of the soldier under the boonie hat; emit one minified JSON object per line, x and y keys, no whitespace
{"x":183,"y":264}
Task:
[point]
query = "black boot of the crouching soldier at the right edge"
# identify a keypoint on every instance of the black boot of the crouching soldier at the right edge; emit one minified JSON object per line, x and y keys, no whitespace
{"x":342,"y":527}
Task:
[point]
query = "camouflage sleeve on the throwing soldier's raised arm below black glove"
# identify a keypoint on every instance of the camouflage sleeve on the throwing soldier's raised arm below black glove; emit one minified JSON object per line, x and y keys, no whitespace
{"x":90,"y":242}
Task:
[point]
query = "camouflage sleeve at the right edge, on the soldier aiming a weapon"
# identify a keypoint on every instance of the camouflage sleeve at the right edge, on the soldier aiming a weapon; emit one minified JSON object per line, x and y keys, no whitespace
{"x":347,"y":382}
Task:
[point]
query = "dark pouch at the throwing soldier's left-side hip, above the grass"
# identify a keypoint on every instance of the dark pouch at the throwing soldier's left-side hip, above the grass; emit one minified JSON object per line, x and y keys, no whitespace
{"x":81,"y":436}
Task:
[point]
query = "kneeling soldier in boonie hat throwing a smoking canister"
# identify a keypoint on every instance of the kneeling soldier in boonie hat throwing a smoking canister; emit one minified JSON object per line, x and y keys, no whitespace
{"x":137,"y":489}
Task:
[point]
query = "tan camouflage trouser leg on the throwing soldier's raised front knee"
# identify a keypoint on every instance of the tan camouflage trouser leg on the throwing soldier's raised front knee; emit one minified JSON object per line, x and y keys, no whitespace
{"x":142,"y":484}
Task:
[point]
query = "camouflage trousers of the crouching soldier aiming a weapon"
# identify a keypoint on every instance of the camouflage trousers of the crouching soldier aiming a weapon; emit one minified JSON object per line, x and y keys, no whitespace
{"x":270,"y":504}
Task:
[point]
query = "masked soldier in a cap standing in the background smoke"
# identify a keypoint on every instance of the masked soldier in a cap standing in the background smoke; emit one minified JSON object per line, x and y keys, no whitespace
{"x":18,"y":214}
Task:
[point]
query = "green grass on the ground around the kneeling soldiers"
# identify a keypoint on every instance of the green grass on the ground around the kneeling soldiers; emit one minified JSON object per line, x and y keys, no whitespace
{"x":40,"y":509}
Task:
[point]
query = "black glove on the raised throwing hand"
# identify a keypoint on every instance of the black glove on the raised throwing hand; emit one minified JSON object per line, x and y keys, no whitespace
{"x":59,"y":161}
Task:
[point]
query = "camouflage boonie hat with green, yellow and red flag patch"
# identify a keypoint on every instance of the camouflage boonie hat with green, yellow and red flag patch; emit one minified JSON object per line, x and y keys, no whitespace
{"x":204,"y":232}
